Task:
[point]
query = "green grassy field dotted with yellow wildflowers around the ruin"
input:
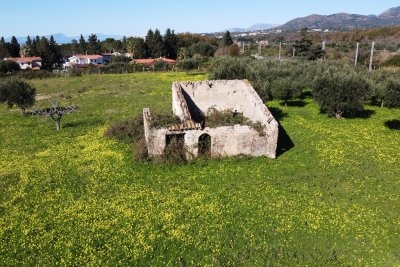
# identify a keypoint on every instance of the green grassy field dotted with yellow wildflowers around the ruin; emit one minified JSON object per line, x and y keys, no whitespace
{"x":74,"y":197}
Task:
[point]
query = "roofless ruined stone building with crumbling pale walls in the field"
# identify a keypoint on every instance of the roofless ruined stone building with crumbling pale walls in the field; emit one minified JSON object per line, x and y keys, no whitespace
{"x":191,"y":101}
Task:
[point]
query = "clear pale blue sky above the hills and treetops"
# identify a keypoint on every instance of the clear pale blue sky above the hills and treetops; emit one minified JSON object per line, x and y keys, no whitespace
{"x":134,"y":17}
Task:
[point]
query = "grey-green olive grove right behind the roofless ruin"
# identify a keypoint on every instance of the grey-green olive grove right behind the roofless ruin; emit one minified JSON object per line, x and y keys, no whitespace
{"x":340,"y":90}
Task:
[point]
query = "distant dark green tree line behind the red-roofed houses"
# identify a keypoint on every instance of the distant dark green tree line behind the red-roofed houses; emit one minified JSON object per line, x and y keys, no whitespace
{"x":182,"y":46}
